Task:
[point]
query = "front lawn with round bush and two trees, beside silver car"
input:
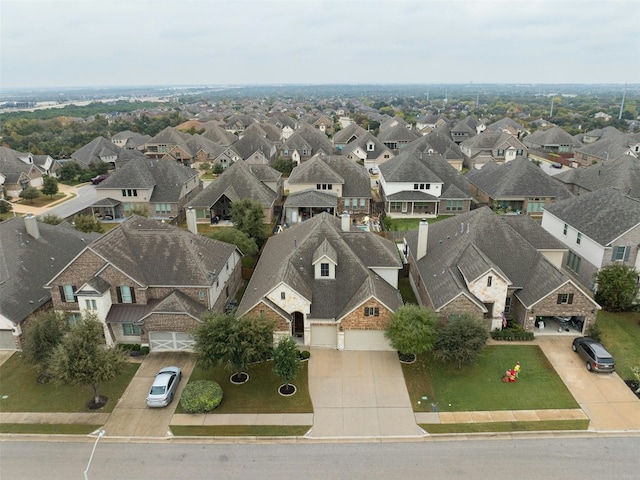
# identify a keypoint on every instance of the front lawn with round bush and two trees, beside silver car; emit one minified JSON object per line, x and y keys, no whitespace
{"x":260,"y":393}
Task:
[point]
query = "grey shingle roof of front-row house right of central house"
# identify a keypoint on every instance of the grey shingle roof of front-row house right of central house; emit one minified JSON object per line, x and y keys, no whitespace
{"x":473,"y":242}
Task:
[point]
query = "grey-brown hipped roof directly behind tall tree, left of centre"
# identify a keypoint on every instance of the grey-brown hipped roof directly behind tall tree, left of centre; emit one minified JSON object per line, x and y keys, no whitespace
{"x":237,"y":181}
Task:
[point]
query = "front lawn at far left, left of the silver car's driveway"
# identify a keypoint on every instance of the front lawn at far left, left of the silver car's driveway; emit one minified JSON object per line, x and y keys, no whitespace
{"x":18,"y":382}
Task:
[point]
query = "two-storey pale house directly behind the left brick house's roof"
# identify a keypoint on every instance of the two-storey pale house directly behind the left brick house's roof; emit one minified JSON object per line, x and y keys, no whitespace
{"x":161,"y":187}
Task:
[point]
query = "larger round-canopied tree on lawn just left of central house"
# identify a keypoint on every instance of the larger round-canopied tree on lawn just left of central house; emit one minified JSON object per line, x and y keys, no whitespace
{"x":234,"y":343}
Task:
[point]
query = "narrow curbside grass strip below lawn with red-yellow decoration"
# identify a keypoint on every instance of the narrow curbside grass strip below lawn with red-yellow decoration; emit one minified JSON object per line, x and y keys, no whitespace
{"x":499,"y":427}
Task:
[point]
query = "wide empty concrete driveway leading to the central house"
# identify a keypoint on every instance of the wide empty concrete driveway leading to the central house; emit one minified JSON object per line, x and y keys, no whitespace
{"x":359,"y":394}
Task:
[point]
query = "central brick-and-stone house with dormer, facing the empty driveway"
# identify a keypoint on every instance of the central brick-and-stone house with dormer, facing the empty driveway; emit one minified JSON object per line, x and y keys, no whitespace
{"x":328,"y":284}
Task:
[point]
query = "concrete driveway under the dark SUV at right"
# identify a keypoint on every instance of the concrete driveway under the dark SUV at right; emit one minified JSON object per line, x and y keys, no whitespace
{"x":604,"y":398}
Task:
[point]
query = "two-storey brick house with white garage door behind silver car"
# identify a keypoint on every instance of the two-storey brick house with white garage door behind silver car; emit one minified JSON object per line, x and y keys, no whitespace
{"x":148,"y":282}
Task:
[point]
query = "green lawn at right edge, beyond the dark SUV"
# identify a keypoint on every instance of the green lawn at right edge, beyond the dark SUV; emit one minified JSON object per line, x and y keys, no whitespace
{"x":621,"y":336}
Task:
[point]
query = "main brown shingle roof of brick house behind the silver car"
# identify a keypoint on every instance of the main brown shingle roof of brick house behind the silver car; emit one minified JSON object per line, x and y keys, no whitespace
{"x":157,"y":254}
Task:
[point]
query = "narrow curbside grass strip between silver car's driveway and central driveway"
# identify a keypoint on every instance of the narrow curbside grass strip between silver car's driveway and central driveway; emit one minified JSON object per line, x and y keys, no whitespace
{"x":240,"y":430}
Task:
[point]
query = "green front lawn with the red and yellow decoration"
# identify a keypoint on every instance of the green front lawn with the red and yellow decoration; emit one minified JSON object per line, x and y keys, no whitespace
{"x":480,"y":387}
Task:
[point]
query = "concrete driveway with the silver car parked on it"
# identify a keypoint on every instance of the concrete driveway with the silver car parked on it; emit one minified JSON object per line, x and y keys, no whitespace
{"x":131,"y":417}
